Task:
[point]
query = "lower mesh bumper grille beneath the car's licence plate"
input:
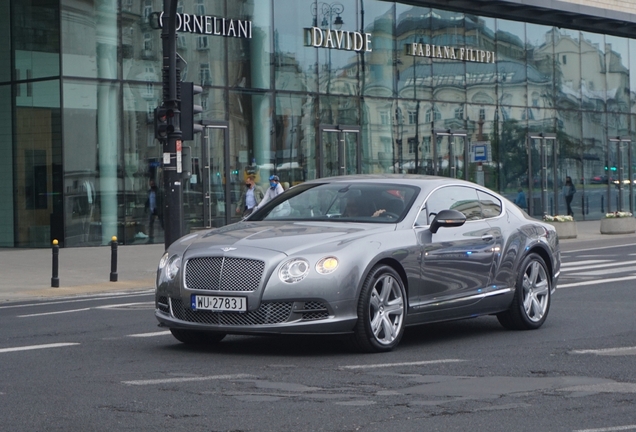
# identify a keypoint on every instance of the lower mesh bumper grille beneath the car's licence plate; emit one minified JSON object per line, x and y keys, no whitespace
{"x":267,"y":313}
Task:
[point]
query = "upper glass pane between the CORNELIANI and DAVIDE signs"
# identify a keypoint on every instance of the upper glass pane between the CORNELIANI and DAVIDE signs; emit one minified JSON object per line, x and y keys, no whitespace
{"x":293,"y":62}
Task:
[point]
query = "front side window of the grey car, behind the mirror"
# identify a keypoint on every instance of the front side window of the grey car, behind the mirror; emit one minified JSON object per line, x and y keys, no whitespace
{"x":460,"y":198}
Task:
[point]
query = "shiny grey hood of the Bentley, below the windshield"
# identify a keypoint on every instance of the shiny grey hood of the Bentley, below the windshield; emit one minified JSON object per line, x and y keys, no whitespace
{"x":285,"y":237}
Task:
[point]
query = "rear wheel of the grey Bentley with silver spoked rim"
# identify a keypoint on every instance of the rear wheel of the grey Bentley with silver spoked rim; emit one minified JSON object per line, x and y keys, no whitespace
{"x":531,"y":302}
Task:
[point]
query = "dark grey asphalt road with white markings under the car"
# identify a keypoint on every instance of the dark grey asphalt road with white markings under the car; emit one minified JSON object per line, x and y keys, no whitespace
{"x":102,"y":364}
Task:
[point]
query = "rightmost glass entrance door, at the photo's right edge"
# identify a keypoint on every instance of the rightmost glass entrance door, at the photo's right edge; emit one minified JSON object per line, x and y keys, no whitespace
{"x":620,"y":178}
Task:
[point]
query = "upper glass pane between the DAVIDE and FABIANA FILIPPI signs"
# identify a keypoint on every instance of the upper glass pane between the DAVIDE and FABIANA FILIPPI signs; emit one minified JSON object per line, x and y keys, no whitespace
{"x":377,"y":18}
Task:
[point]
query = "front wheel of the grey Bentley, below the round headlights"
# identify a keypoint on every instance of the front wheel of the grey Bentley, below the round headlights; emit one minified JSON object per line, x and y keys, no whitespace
{"x":381,"y":311}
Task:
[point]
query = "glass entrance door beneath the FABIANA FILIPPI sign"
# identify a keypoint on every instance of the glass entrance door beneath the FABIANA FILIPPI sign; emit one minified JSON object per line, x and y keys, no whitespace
{"x":450,"y":153}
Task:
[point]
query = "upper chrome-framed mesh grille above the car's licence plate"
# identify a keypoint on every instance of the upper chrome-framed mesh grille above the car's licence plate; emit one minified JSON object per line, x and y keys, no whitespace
{"x":223,"y":274}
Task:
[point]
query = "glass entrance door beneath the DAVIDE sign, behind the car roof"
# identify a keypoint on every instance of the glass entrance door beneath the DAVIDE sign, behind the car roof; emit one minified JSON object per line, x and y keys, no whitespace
{"x":340,"y":152}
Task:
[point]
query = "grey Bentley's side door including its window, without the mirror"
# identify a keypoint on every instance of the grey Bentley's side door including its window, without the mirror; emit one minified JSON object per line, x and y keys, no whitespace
{"x":456,"y":262}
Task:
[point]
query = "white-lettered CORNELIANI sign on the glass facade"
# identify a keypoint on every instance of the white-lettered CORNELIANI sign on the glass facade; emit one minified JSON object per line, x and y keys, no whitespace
{"x":211,"y":25}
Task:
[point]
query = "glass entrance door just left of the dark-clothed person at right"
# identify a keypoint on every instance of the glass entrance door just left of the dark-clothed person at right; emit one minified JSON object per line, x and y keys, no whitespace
{"x":544,"y":179}
